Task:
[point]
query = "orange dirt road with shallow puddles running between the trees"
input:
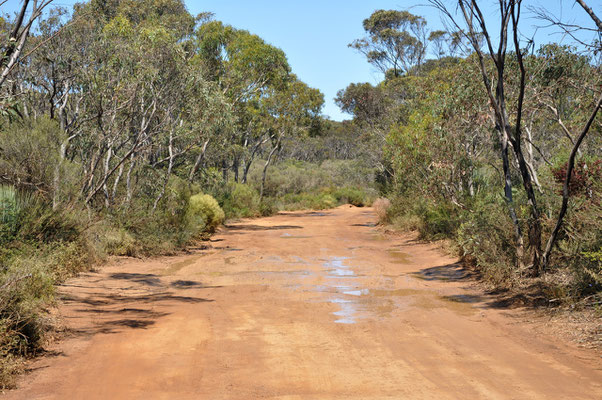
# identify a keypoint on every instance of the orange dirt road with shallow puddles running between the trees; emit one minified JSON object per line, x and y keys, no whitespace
{"x":306,"y":305}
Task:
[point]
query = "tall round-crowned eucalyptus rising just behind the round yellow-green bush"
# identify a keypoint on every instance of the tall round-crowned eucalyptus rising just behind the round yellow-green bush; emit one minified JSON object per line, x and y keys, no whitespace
{"x":247,"y":70}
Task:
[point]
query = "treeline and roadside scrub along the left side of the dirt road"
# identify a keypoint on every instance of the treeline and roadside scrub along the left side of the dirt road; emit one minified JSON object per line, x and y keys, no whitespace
{"x":131,"y":127}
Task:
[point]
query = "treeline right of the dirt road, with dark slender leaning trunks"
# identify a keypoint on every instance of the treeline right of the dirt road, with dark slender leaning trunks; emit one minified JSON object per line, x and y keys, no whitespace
{"x":491,"y":141}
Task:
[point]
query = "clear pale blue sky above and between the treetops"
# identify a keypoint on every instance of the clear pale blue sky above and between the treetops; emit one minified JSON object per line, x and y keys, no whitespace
{"x":314,"y":34}
